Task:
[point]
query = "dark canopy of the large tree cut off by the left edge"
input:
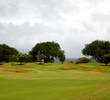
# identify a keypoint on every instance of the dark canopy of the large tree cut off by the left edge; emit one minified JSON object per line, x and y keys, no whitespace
{"x":6,"y":52}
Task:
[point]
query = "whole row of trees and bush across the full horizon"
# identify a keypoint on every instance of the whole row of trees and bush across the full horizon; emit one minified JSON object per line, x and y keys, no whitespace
{"x":47,"y":51}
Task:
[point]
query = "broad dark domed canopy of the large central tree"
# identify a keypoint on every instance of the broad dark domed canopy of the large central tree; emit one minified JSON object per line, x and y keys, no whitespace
{"x":49,"y":49}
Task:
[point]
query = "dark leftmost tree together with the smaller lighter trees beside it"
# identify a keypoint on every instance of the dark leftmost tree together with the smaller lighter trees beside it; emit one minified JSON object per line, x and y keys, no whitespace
{"x":10,"y":54}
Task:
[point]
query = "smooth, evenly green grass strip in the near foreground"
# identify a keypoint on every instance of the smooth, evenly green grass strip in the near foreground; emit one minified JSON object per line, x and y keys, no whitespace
{"x":47,"y":88}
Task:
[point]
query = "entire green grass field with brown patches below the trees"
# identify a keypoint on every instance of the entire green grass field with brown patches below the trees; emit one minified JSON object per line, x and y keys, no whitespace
{"x":49,"y":82}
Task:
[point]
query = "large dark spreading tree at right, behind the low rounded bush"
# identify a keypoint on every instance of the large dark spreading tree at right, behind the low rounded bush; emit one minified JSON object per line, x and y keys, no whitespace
{"x":97,"y":49}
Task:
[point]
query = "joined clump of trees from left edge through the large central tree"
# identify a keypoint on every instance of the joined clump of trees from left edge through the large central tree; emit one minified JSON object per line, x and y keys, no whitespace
{"x":45,"y":51}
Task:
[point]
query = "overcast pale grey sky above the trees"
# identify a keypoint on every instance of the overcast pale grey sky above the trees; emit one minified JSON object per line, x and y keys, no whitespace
{"x":71,"y":23}
